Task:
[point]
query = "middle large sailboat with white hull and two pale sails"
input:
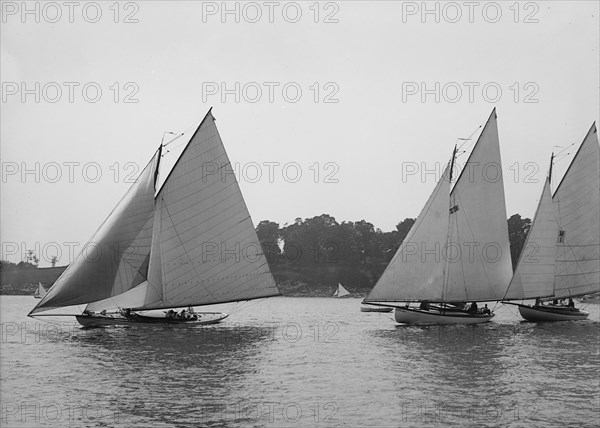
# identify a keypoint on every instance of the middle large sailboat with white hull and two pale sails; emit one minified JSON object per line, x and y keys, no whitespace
{"x":457,"y":251}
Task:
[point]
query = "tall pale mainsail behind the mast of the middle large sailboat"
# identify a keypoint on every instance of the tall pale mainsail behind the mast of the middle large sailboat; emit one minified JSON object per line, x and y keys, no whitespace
{"x":479,"y":264}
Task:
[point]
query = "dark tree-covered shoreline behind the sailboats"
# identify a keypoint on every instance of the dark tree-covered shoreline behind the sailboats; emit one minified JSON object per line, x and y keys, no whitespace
{"x":316,"y":252}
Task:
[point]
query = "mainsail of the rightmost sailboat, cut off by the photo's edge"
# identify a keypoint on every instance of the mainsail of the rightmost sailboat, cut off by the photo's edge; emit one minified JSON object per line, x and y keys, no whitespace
{"x":577,"y":204}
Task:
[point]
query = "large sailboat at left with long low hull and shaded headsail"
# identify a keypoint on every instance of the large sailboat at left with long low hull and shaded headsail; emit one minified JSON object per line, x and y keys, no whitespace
{"x":189,"y":243}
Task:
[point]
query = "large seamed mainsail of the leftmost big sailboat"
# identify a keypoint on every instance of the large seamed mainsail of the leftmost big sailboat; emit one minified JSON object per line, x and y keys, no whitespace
{"x":206,"y":247}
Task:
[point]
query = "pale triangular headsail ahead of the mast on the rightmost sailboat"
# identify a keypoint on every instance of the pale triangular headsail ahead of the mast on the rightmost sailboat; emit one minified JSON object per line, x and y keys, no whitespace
{"x":534,"y":275}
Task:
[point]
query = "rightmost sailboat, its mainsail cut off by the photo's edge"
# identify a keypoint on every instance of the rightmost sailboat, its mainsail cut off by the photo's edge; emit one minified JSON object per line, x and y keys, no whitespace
{"x":561,"y":256}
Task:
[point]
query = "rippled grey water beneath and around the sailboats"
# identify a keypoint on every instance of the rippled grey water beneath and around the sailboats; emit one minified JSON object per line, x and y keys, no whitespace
{"x":299,"y":362}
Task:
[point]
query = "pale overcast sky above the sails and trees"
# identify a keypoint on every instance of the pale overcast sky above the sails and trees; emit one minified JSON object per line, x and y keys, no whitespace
{"x":360,"y":131}
